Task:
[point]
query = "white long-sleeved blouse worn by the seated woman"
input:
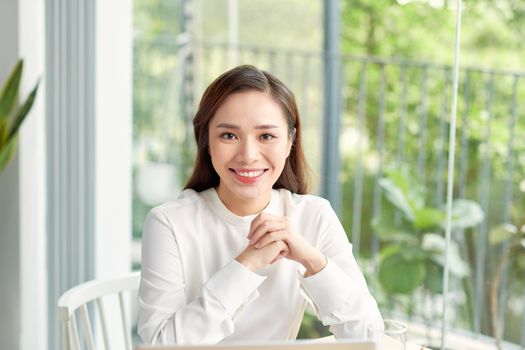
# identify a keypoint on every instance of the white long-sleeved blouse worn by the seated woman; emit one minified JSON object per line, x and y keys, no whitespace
{"x":193,"y":291}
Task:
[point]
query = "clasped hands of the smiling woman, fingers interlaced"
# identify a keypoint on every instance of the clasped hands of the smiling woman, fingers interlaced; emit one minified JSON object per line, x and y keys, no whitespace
{"x":272,"y":238}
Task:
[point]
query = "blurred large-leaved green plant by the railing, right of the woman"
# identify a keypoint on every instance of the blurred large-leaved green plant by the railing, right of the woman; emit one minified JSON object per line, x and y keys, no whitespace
{"x":408,"y":227}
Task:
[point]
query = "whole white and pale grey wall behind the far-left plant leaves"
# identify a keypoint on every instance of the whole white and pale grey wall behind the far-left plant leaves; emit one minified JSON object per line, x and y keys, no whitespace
{"x":22,"y":217}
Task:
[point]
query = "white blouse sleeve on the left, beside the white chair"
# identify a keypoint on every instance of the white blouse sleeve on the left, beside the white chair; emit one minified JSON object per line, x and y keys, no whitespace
{"x":166,"y":315}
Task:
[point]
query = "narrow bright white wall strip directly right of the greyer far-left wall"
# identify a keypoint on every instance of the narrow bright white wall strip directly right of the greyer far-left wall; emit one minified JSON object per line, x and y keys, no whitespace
{"x":33,"y":268}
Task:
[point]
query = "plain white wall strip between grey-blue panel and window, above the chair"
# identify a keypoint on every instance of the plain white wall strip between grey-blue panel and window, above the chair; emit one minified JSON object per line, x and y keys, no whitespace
{"x":113,"y":97}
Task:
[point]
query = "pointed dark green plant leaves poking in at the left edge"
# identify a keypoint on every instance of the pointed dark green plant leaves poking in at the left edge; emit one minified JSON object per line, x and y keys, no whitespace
{"x":12,"y":114}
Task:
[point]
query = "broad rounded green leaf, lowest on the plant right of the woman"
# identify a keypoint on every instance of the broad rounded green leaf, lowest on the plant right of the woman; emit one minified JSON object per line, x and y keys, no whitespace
{"x":400,"y":276}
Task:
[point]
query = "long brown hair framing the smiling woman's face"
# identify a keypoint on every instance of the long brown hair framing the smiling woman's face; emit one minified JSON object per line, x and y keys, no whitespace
{"x":295,"y":175}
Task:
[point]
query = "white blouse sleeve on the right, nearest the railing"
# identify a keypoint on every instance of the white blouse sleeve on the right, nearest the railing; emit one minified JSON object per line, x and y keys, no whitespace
{"x":339,"y":291}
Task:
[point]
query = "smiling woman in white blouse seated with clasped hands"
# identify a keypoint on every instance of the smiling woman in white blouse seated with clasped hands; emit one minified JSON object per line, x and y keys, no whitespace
{"x":241,"y":251}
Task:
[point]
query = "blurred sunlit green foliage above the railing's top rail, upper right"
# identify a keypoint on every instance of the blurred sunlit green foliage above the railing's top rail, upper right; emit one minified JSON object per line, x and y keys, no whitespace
{"x":492,"y":31}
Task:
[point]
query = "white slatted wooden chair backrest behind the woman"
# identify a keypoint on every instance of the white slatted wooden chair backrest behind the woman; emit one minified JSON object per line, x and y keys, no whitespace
{"x":75,"y":301}
